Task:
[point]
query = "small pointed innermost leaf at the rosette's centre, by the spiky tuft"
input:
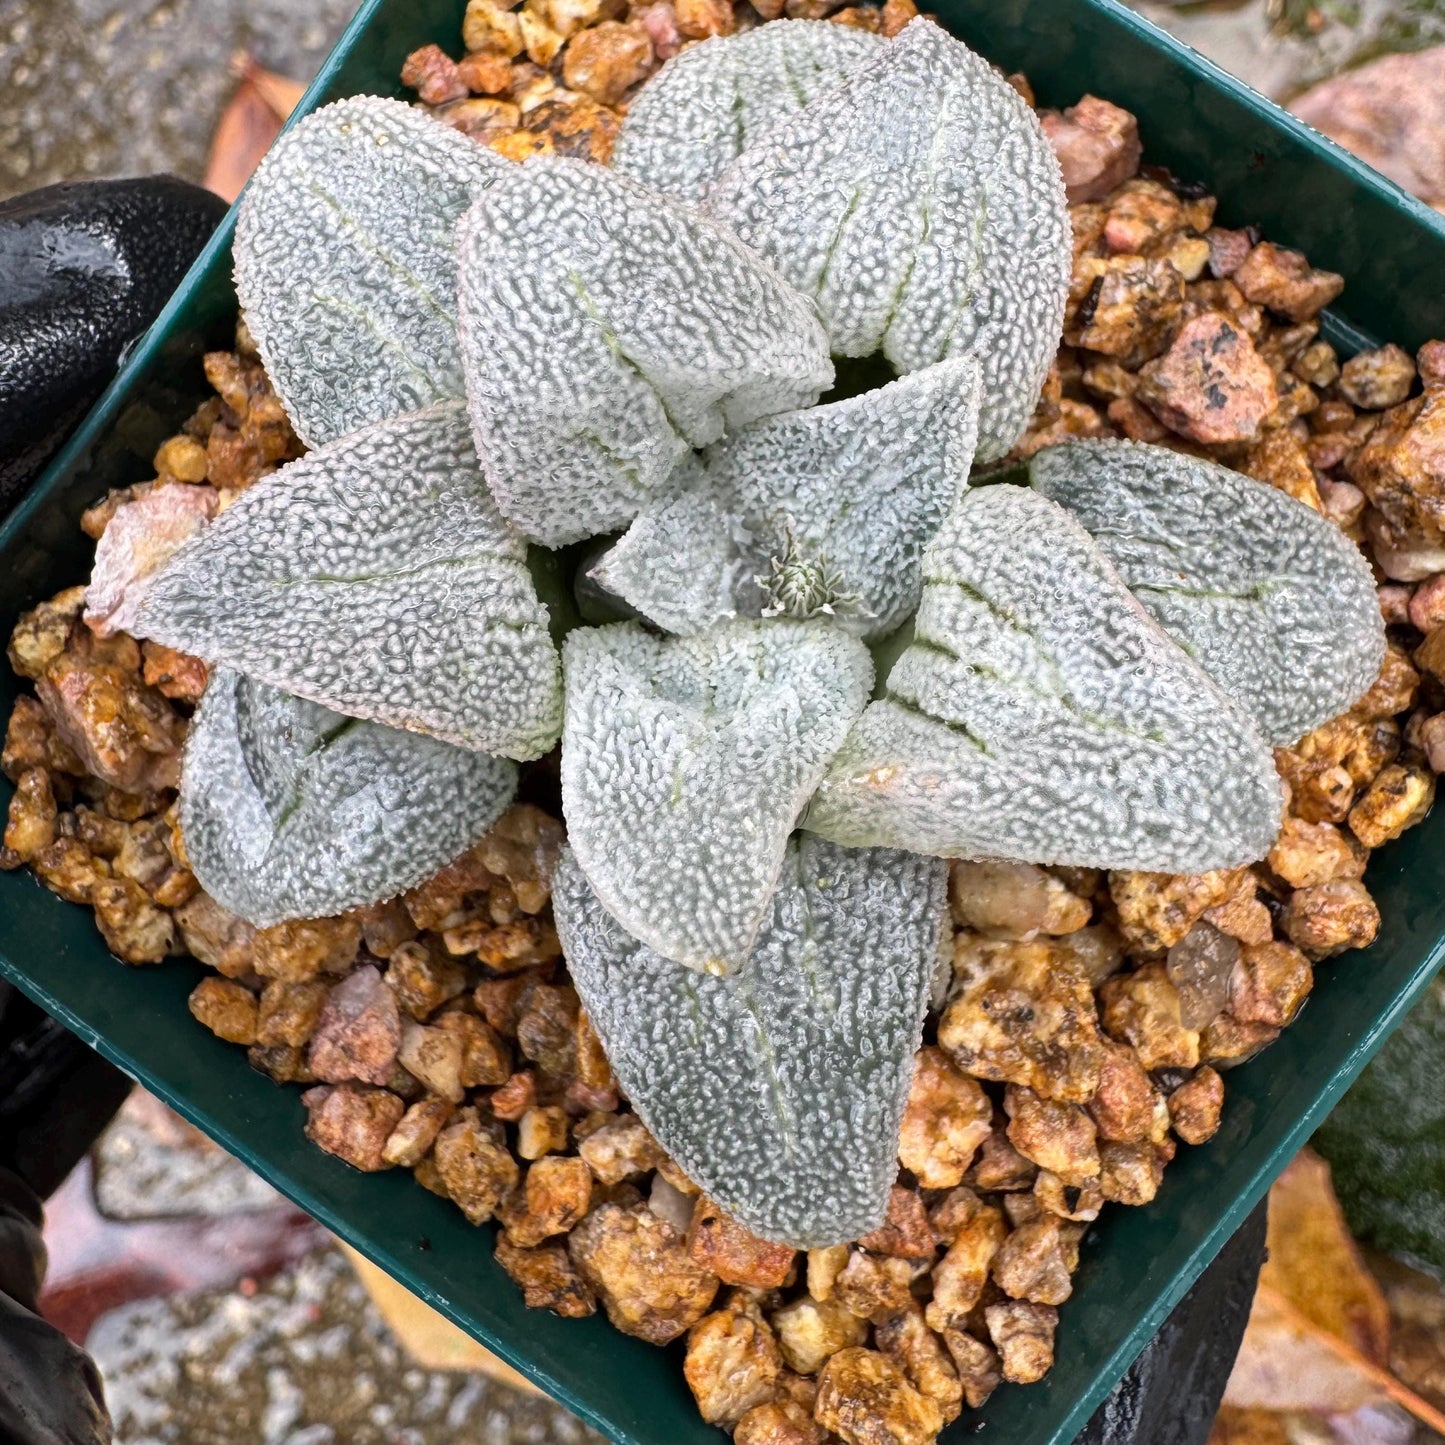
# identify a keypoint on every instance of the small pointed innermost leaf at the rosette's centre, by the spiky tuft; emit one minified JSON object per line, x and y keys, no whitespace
{"x":853,"y":491}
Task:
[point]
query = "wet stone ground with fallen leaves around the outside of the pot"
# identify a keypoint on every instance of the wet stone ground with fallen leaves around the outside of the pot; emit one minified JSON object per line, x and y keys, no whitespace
{"x":223,"y":1317}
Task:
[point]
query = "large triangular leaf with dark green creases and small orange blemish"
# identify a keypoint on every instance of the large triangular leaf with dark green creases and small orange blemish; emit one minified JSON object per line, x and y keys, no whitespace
{"x":1043,"y":715}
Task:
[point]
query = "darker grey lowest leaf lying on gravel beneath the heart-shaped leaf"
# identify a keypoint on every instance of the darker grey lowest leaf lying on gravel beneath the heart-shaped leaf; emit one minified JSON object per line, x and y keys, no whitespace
{"x":780,"y":1090}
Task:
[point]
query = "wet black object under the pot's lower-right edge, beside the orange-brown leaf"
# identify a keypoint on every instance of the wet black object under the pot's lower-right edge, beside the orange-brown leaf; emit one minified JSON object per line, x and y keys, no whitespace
{"x":1174,"y":1389}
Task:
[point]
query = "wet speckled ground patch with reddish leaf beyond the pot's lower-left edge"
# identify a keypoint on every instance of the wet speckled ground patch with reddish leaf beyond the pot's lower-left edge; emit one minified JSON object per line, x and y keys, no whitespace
{"x":222,"y":1316}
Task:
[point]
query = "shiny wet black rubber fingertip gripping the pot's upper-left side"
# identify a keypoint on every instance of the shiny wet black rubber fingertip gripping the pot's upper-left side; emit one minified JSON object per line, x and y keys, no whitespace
{"x":85,"y":268}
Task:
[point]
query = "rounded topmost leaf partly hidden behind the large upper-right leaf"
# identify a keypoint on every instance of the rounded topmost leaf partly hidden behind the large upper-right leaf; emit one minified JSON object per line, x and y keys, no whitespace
{"x":715,"y":100}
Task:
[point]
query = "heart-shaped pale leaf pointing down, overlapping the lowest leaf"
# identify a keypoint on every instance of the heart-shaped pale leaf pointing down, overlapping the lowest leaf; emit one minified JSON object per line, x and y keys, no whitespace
{"x":686,"y":762}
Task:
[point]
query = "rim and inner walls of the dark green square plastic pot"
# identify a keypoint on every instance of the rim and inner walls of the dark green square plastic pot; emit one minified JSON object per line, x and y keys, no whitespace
{"x":1136,"y":1264}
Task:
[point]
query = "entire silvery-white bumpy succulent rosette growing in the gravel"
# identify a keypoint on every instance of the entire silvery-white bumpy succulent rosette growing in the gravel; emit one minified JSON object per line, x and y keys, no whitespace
{"x":832,"y":664}
